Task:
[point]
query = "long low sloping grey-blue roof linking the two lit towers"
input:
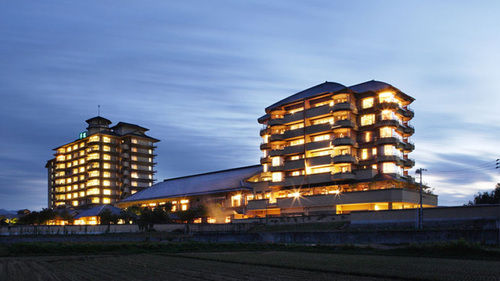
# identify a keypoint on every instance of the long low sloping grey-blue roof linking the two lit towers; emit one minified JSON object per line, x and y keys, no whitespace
{"x":208,"y":183}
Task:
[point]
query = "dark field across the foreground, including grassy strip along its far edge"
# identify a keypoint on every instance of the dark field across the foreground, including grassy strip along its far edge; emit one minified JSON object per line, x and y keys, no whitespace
{"x":160,"y":261}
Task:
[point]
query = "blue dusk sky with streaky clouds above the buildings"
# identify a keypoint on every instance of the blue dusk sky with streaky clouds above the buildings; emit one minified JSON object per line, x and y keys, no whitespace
{"x":198,"y":74}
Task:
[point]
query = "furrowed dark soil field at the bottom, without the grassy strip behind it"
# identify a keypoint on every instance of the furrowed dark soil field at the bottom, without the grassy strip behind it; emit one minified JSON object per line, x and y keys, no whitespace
{"x":244,"y":266}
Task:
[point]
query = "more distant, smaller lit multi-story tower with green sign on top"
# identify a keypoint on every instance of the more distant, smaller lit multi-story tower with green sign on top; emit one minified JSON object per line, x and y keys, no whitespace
{"x":105,"y":164}
